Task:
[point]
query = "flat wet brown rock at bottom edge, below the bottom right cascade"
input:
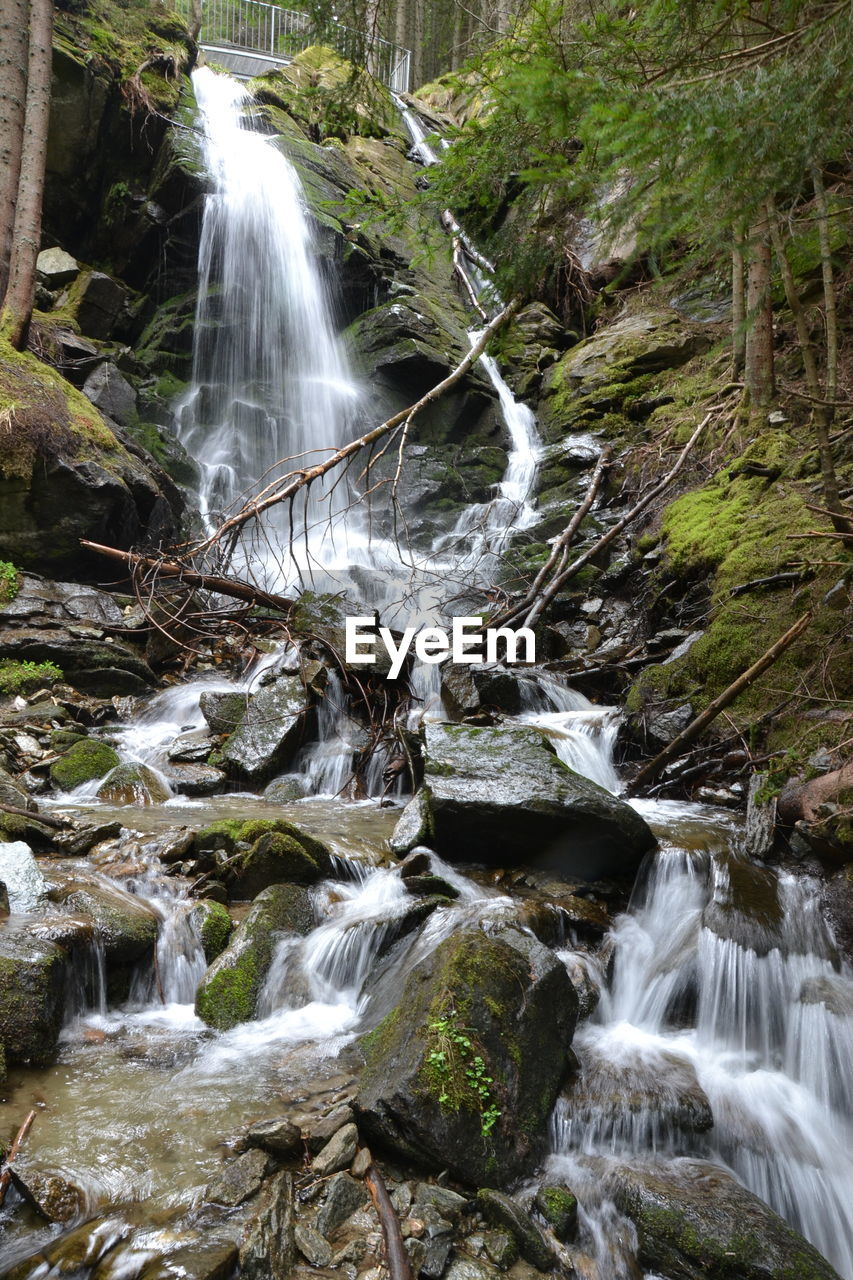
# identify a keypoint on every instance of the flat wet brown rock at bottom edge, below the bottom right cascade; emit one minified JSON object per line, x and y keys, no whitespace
{"x":695,"y":1220}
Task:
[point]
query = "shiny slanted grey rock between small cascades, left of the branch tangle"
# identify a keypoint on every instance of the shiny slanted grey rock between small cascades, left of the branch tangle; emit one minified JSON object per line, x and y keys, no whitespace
{"x":270,"y":732}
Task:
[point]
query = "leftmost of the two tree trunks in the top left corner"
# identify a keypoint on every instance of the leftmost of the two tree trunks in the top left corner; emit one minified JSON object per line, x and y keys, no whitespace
{"x":13,"y":95}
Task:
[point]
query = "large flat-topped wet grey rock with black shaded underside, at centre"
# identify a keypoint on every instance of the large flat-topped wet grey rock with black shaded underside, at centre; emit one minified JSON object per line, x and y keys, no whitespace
{"x":501,"y":796}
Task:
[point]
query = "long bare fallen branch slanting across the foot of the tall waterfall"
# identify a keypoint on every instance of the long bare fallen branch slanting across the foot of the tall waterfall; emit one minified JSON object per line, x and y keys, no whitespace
{"x":297,"y":481}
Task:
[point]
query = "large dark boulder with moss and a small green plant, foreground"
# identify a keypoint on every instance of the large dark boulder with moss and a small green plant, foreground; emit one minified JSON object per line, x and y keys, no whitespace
{"x":500,"y":1011}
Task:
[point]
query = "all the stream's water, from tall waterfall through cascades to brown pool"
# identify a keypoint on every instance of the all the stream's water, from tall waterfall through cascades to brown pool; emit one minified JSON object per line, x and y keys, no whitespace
{"x":720,"y":1021}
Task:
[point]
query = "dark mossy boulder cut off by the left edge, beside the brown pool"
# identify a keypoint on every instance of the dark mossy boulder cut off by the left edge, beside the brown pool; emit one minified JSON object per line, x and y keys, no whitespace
{"x":33,"y":995}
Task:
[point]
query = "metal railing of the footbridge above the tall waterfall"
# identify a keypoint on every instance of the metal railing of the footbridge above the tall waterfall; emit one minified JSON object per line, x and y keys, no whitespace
{"x":282,"y":34}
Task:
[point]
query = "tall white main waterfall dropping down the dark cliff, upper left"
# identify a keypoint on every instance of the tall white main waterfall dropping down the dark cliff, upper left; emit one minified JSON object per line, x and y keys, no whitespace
{"x":271,"y":390}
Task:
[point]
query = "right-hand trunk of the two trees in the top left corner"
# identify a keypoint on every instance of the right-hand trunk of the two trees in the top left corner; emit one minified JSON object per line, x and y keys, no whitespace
{"x":17,"y":310}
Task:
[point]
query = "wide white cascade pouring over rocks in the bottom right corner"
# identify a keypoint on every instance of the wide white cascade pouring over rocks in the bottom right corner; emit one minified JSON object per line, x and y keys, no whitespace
{"x":726,"y":1034}
